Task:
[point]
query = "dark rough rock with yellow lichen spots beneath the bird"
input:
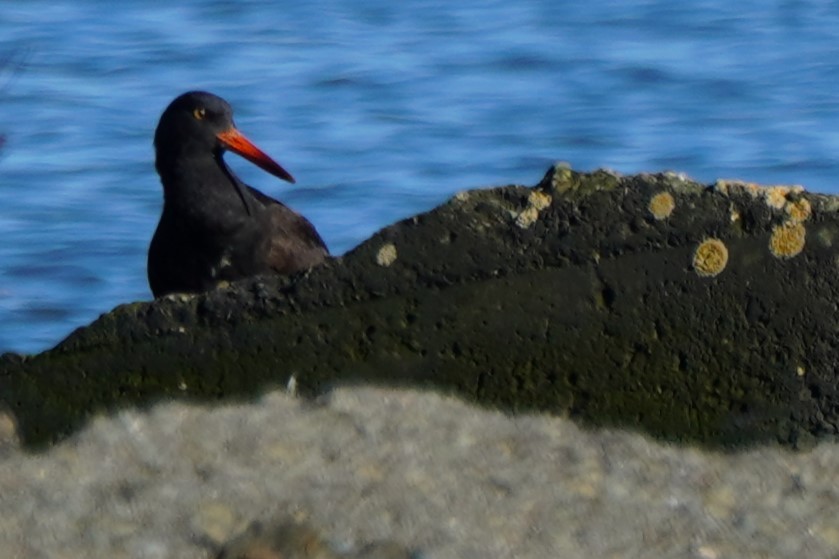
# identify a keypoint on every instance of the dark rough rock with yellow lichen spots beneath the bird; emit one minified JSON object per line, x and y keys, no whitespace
{"x":693,"y":313}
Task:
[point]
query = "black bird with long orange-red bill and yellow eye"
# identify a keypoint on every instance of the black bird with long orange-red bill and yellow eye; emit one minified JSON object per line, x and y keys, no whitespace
{"x":214,"y":227}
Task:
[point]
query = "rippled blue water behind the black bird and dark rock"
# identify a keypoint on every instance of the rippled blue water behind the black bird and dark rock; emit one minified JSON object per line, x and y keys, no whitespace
{"x":381,"y":110}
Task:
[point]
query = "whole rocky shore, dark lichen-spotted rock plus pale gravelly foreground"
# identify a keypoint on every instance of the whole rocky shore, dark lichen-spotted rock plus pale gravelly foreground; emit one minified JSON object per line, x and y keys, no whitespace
{"x":596,"y":366}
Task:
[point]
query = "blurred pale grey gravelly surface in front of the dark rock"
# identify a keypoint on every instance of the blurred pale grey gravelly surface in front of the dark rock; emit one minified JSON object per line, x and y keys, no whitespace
{"x":429,"y":474}
